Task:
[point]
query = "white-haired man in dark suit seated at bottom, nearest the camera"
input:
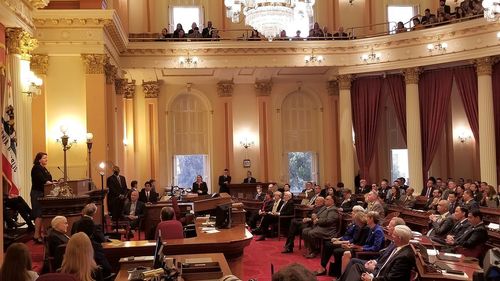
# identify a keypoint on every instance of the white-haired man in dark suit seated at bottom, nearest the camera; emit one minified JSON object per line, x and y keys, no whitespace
{"x":396,"y":266}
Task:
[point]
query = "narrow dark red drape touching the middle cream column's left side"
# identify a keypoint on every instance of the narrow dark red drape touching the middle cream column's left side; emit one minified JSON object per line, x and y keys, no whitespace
{"x":396,"y":87}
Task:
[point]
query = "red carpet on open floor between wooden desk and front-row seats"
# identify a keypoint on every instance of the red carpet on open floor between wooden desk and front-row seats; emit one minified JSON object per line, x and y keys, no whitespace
{"x":260,"y":254}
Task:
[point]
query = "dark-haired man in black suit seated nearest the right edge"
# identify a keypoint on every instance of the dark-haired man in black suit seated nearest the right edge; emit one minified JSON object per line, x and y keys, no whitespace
{"x":473,"y":238}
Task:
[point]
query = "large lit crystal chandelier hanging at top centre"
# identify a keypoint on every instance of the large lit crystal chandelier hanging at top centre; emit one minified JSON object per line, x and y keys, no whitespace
{"x":269,"y":17}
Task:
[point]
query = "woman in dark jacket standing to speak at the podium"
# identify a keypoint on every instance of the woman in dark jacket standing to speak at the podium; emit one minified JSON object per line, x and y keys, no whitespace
{"x":39,"y":177}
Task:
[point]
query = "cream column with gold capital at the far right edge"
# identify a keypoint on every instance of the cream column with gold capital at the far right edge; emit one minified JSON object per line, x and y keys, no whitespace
{"x":487,"y":146}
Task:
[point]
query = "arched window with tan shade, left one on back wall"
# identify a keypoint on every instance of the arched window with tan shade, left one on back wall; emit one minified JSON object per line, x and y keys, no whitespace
{"x":189,"y":140}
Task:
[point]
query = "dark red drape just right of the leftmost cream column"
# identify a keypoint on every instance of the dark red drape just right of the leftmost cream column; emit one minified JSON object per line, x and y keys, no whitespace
{"x":366,"y":92}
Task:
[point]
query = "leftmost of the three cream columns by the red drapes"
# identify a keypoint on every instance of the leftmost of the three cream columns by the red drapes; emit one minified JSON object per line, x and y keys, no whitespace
{"x":346,"y":143}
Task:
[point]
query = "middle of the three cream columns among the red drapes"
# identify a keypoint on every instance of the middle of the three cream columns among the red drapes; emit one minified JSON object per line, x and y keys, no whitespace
{"x":413,"y":130}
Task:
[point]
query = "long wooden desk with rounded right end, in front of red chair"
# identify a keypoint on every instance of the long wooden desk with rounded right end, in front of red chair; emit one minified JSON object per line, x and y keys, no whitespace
{"x":231,"y":242}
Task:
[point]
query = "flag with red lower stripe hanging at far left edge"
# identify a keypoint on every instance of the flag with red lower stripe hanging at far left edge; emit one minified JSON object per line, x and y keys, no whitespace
{"x":10,"y":170}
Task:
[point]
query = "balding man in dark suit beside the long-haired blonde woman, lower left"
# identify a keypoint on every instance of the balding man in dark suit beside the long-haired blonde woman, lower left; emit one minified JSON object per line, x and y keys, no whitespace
{"x":57,"y":236}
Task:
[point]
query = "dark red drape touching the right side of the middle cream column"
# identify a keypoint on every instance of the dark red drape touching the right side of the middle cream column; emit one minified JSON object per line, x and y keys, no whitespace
{"x":434,"y":90}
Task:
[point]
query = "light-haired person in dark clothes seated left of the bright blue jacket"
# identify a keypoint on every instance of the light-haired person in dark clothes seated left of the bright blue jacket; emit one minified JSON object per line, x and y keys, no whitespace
{"x":356,"y":234}
